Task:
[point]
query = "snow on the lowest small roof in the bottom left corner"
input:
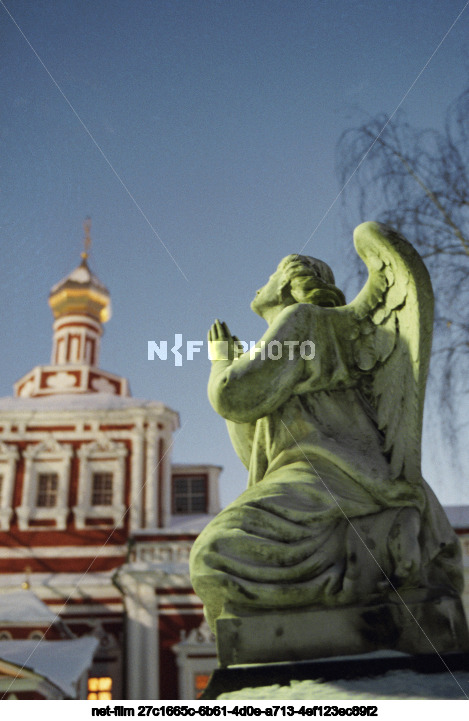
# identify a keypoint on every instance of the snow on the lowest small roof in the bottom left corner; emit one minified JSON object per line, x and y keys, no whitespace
{"x":61,"y":662}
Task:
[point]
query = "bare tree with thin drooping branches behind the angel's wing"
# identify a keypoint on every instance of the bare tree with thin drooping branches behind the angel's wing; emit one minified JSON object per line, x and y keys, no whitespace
{"x":417,"y":181}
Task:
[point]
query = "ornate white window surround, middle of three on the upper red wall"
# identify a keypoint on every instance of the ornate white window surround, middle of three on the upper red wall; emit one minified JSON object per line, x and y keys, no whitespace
{"x":47,"y":457}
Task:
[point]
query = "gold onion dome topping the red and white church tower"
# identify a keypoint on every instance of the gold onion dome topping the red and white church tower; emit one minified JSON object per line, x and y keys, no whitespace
{"x":81,"y":293}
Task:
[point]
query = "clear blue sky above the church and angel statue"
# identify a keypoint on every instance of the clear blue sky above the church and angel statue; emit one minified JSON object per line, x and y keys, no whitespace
{"x":211,"y":126}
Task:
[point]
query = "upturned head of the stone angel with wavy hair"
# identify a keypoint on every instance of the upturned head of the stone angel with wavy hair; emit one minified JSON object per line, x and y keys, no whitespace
{"x":298,"y":279}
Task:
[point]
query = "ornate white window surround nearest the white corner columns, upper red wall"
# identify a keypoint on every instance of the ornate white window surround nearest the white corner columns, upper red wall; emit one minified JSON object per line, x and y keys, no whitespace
{"x":102,"y":456}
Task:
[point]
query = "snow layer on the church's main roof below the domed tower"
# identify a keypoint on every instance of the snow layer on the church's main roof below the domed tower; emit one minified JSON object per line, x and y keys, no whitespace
{"x":80,"y":401}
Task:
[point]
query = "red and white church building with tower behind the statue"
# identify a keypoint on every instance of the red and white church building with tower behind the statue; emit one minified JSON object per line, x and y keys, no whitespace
{"x":94,"y":518}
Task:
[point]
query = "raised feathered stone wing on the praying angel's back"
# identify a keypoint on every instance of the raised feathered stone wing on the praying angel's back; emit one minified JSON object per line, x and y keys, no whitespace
{"x":391,"y":333}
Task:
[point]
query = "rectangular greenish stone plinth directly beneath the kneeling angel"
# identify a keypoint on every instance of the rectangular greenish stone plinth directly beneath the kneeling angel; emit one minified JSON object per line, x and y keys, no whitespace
{"x":414,"y":627}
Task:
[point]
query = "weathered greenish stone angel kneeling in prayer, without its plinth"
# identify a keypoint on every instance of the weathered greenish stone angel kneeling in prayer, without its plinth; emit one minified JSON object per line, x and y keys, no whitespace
{"x":336,"y":513}
